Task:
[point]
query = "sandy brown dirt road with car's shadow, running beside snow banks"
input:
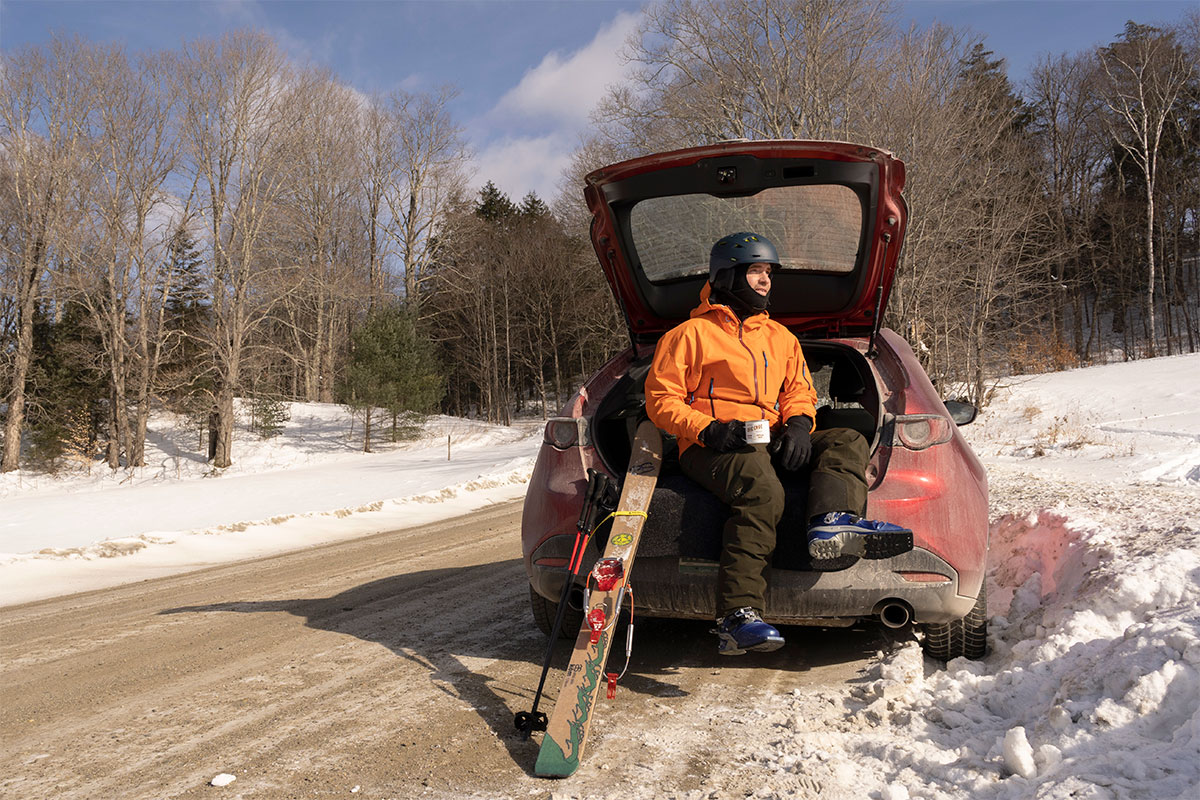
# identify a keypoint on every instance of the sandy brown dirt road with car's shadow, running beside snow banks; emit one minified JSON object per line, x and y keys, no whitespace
{"x":386,"y":667}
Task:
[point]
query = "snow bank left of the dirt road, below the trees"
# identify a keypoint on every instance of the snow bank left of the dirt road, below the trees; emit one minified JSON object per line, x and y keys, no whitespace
{"x":308,"y":486}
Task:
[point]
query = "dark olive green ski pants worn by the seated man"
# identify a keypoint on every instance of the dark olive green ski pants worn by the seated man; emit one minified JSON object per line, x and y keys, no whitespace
{"x":747,"y":482}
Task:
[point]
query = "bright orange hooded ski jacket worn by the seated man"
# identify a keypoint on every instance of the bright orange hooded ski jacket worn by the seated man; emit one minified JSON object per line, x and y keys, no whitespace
{"x":718,"y":368}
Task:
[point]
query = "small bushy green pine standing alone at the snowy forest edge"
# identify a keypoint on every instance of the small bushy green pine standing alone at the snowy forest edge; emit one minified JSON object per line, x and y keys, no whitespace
{"x":393,"y":366}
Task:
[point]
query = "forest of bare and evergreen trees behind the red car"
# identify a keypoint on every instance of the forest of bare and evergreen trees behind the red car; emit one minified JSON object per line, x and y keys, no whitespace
{"x":182,"y":228}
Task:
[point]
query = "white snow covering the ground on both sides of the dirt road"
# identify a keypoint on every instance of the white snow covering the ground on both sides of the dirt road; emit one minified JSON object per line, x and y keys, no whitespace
{"x":1091,"y":691}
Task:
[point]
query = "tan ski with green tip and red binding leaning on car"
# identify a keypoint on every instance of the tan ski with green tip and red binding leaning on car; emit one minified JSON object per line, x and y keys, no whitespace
{"x":567,"y":731}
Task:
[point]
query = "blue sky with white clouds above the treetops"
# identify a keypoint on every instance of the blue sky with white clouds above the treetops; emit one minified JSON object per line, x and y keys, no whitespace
{"x":529,"y":71}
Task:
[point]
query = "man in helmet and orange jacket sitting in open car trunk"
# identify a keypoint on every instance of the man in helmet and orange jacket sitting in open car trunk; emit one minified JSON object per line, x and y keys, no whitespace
{"x":731,"y":364}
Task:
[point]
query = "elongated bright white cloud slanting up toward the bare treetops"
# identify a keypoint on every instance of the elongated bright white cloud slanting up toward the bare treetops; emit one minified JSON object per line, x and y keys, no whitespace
{"x":565,"y":89}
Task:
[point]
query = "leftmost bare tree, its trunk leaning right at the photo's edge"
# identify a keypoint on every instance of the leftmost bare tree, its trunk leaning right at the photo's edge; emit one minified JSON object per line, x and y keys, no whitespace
{"x":43,"y":104}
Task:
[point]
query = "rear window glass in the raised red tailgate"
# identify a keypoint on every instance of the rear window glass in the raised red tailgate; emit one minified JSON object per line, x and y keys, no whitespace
{"x":814,"y":228}
